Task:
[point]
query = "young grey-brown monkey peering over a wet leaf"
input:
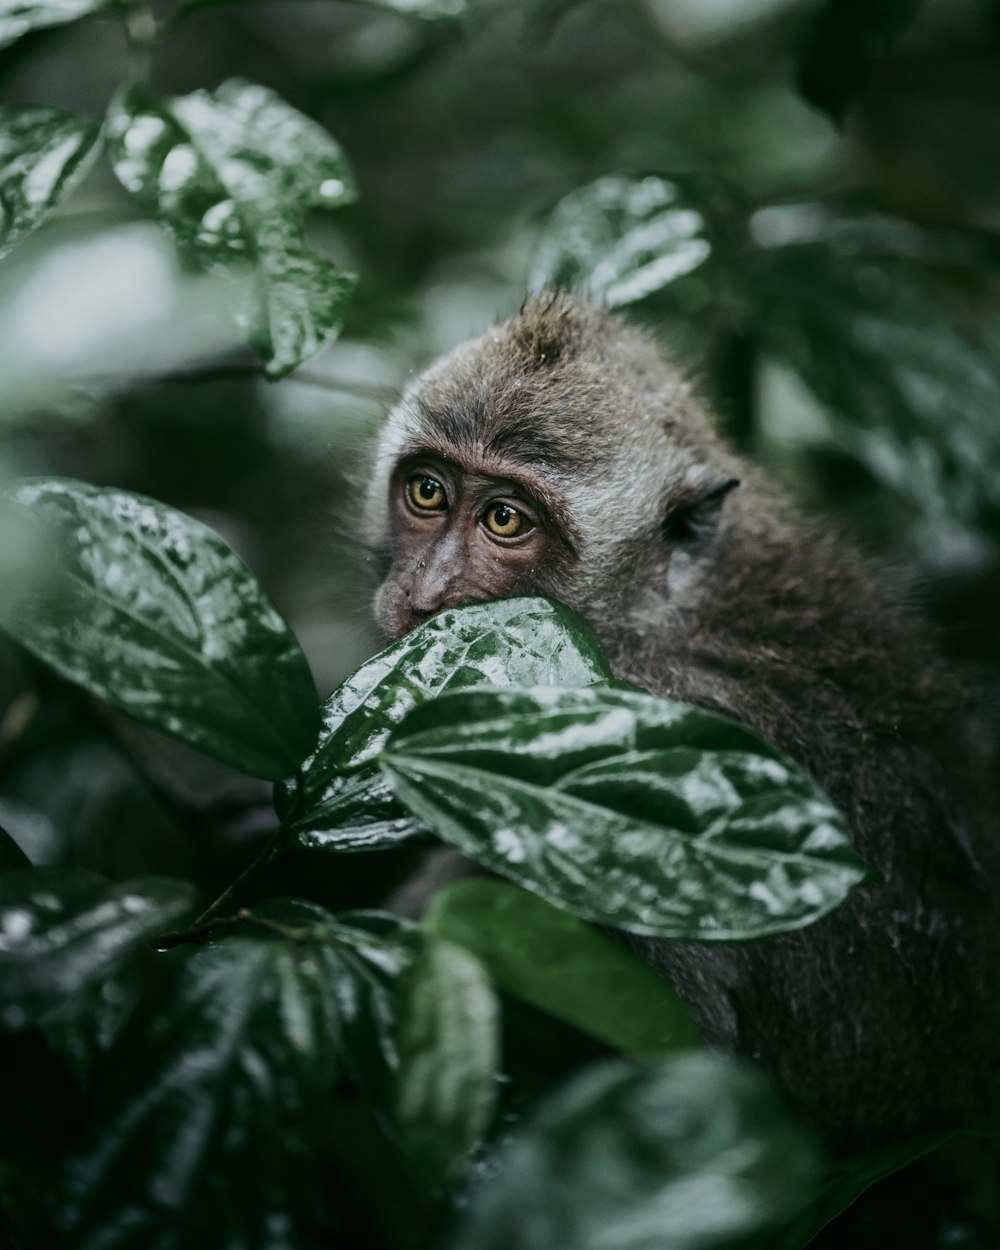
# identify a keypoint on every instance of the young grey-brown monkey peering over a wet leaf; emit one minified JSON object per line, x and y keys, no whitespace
{"x":561,"y":454}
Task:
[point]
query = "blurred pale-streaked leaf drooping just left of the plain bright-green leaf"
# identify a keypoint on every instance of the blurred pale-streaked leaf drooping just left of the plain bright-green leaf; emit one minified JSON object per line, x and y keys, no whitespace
{"x":421,"y":1038}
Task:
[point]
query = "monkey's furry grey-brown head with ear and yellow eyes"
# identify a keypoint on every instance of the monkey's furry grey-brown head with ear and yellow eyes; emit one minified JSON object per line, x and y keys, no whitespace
{"x":556,"y":456}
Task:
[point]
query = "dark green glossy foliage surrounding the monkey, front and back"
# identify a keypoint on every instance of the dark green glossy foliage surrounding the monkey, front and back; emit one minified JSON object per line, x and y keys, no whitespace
{"x":216,"y":1031}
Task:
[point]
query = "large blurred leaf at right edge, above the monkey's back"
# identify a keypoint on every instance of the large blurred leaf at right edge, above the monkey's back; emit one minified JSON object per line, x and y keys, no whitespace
{"x":911,"y":388}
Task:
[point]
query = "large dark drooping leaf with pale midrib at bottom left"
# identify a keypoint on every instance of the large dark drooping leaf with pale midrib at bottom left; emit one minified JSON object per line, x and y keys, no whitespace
{"x":214,"y":1107}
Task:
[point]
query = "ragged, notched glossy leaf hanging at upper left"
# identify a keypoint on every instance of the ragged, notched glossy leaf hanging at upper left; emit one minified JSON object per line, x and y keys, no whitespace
{"x":232,"y":174}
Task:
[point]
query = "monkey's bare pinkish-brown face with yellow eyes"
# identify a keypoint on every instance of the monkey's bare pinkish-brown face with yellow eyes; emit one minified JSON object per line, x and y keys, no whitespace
{"x":462,"y":534}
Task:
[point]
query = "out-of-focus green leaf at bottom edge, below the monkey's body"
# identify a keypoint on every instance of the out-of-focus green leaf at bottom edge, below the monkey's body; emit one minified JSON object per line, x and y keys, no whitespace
{"x":692,"y":1156}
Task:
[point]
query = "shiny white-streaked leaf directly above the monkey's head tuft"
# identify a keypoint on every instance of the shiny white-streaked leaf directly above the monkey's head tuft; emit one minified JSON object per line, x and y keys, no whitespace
{"x":621,"y":239}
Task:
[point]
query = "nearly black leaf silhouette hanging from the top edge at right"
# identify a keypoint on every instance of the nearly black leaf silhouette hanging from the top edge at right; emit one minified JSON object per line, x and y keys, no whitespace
{"x":847,"y":42}
